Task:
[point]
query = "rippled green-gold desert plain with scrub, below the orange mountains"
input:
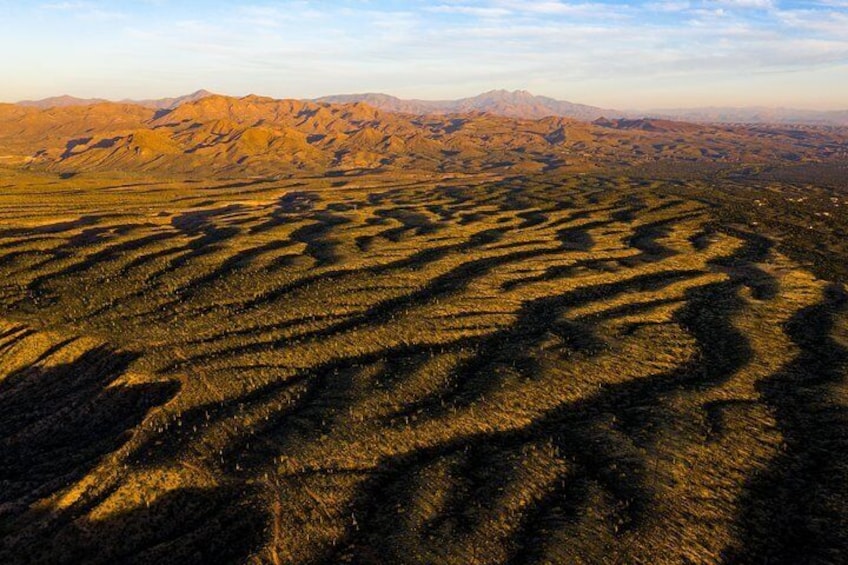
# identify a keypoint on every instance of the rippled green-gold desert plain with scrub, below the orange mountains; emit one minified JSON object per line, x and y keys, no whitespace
{"x":632,"y":364}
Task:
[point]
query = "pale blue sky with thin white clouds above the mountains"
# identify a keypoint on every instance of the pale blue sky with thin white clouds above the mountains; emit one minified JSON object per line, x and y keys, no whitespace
{"x":618,"y":54}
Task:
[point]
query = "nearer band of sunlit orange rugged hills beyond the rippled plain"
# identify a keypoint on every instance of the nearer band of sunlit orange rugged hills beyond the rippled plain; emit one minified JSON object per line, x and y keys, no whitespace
{"x":255,"y":135}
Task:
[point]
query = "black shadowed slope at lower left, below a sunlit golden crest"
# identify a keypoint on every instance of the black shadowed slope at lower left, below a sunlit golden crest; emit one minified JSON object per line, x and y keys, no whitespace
{"x":58,"y":422}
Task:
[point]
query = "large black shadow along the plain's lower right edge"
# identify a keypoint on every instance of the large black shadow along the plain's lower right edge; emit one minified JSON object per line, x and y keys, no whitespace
{"x":797,"y":510}
